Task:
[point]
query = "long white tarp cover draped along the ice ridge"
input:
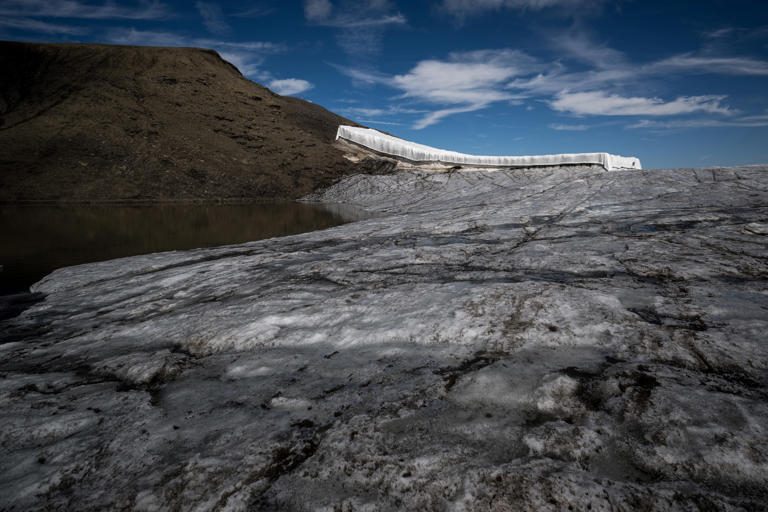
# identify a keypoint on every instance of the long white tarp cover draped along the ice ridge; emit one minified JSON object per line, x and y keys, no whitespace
{"x":389,"y":145}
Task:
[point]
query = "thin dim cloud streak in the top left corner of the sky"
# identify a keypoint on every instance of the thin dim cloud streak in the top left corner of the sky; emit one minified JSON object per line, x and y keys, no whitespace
{"x":141,"y":10}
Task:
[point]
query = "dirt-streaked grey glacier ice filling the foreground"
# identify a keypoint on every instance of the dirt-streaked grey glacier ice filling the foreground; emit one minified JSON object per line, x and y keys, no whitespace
{"x":545,"y":339}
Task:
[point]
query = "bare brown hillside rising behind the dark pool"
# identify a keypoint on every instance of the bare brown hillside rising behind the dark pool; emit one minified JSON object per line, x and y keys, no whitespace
{"x":96,"y":122}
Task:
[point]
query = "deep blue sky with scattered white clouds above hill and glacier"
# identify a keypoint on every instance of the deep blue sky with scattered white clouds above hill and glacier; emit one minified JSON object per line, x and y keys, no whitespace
{"x":674,"y":83}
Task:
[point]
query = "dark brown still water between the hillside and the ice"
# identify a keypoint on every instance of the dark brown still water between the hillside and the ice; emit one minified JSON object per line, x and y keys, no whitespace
{"x":35,"y":240}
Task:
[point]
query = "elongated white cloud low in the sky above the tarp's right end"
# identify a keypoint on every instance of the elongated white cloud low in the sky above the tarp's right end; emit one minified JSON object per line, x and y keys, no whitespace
{"x":599,"y":103}
